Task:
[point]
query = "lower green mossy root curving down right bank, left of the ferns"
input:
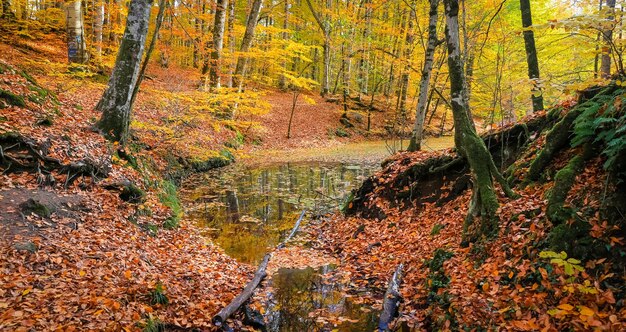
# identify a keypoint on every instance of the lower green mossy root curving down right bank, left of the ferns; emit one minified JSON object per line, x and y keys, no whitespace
{"x":563,"y":182}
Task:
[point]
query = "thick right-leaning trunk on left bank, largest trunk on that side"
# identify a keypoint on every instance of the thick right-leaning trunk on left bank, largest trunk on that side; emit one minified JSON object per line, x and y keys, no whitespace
{"x":116,"y":101}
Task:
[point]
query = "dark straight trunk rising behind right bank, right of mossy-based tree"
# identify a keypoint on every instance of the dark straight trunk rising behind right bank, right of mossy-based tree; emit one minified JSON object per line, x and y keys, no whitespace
{"x":531,"y":55}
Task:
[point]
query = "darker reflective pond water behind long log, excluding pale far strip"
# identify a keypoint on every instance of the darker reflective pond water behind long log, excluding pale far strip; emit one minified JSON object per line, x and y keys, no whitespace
{"x":246,"y":211}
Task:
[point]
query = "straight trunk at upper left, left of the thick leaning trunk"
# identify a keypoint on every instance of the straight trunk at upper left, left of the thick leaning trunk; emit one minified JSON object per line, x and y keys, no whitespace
{"x":76,"y":47}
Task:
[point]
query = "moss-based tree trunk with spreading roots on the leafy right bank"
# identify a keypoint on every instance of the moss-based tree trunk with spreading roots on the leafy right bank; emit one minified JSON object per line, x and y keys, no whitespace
{"x":484,"y":200}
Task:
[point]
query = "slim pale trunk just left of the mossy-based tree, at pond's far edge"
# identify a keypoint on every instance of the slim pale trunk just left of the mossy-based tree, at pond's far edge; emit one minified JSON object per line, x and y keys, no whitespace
{"x":415,"y":143}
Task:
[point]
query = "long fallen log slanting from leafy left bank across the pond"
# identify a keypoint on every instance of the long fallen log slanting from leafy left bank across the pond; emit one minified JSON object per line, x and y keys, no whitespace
{"x":219,"y":319}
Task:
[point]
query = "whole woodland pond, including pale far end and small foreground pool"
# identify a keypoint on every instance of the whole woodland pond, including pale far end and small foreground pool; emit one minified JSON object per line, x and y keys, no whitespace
{"x":249,"y":208}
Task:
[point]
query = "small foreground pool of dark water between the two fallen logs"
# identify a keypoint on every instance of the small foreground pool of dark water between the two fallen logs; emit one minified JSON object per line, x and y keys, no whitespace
{"x":303,"y":300}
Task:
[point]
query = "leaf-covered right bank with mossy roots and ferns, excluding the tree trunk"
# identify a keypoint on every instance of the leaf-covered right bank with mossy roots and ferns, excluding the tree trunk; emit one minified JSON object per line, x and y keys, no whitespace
{"x":558,"y":261}
